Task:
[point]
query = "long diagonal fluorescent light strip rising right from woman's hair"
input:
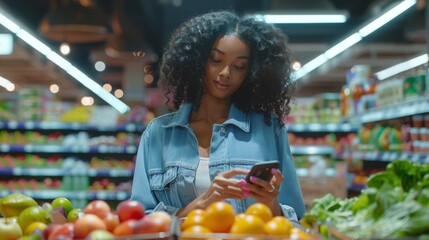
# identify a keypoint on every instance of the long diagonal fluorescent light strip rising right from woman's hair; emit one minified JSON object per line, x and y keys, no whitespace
{"x":355,"y":37}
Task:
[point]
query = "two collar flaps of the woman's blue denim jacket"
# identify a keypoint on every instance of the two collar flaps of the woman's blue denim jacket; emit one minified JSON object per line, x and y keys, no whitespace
{"x":235,"y":117}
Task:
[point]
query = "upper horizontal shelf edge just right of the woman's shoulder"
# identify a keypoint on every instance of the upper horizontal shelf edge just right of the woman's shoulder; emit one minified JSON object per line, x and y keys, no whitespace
{"x":317,"y":127}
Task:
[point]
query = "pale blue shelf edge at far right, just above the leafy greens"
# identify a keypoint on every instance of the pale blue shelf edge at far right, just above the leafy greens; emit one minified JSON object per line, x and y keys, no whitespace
{"x":386,"y":156}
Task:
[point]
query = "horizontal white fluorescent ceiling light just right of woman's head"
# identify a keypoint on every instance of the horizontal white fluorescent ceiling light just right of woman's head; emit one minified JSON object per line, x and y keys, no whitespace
{"x":303,"y":18}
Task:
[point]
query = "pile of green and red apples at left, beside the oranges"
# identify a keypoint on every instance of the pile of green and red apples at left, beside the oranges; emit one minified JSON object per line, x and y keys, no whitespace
{"x":23,"y":218}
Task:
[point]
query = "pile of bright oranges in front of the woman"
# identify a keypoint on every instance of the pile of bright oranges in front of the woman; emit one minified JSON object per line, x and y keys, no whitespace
{"x":219,"y":221}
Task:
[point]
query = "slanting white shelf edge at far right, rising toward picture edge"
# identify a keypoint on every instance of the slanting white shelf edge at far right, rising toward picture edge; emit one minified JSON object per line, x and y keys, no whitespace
{"x":403,"y":109}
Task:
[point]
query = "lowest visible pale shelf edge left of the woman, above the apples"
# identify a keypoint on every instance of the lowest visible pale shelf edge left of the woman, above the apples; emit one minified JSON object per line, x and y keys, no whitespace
{"x":59,"y":172}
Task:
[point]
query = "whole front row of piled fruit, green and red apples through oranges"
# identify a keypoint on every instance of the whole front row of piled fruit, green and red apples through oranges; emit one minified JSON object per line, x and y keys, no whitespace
{"x":24,"y":219}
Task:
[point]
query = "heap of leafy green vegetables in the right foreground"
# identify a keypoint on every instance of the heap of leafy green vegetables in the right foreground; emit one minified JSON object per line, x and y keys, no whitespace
{"x":394,"y":205}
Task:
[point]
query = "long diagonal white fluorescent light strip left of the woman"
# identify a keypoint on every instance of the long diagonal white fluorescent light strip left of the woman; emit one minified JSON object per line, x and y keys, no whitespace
{"x":61,"y":62}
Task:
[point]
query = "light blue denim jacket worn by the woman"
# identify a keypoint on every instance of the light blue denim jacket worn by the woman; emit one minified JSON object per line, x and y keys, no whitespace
{"x":167,"y":159}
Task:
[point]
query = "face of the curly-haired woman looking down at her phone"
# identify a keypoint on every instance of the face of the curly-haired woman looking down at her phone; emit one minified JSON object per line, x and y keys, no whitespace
{"x":226,"y":67}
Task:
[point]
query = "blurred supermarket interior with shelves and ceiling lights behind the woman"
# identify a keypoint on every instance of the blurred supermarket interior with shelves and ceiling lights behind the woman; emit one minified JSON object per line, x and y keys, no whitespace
{"x":78,"y":85}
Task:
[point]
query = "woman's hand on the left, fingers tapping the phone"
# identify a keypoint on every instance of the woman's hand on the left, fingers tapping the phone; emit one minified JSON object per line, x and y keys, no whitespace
{"x":222,"y":187}
